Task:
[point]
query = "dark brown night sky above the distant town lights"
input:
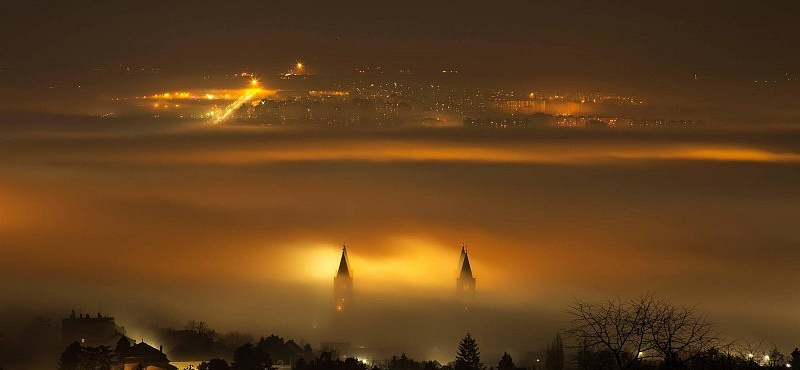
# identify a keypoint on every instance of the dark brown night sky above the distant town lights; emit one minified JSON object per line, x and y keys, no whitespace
{"x":576,"y":39}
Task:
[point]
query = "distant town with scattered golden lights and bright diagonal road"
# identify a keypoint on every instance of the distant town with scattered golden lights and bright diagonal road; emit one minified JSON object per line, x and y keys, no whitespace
{"x":369,"y":98}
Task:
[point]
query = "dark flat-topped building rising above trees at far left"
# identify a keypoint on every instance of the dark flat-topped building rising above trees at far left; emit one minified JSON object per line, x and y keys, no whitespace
{"x":90,"y":331}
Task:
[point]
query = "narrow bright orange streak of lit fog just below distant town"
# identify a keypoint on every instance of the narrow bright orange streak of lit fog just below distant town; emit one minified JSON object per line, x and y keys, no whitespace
{"x":400,"y":151}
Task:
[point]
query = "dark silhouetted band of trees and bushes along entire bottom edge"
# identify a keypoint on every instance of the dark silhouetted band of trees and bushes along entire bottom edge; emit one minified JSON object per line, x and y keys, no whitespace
{"x":638,"y":334}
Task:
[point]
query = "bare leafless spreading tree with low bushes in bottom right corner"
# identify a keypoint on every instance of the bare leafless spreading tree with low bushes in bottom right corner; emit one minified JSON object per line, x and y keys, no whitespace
{"x":653,"y":334}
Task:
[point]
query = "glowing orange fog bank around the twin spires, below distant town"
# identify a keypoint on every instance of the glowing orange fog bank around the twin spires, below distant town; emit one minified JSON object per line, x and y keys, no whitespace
{"x":208,"y":216}
